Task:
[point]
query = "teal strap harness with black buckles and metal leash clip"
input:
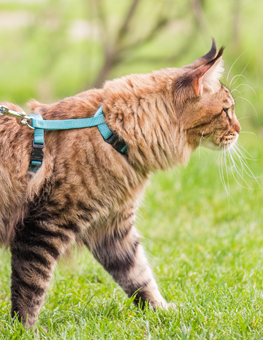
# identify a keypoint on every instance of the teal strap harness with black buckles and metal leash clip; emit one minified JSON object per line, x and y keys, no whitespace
{"x":39,"y":125}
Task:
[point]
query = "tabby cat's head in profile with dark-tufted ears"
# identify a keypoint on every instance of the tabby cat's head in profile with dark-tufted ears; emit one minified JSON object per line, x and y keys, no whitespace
{"x":206,"y":107}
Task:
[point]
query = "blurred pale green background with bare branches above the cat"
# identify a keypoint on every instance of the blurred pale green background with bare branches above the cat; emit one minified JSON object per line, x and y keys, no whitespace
{"x":51,"y":49}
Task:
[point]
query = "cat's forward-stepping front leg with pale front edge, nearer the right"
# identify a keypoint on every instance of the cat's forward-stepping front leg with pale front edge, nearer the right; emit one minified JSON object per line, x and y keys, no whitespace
{"x":117,"y":247}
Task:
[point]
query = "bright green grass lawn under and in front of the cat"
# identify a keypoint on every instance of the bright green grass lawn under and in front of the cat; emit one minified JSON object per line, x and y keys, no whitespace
{"x":207,"y":253}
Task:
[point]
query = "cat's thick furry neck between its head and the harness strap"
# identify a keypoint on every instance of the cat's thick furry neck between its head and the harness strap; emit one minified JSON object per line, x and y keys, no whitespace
{"x":139,"y":108}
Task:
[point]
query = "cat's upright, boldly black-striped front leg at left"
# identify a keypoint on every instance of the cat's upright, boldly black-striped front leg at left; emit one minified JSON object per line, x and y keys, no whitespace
{"x":35,"y":249}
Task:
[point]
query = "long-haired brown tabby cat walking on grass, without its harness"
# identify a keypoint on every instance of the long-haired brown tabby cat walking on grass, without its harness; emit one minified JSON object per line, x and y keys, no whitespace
{"x":86,"y":191}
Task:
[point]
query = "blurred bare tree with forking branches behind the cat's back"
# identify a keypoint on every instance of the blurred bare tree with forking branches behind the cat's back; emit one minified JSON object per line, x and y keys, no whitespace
{"x":123,"y":47}
